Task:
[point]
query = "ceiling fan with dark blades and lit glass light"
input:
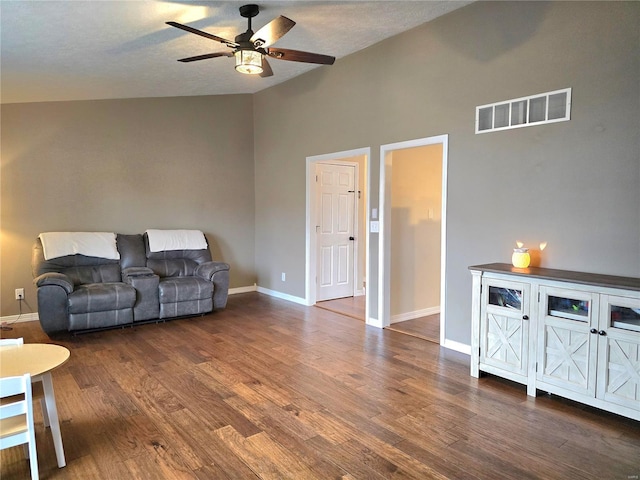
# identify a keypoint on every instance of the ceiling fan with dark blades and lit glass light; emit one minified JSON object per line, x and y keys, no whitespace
{"x":252,"y":49}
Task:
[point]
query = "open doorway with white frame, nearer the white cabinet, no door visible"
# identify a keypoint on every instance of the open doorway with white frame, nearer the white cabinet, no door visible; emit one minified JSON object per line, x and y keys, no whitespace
{"x":413,"y":236}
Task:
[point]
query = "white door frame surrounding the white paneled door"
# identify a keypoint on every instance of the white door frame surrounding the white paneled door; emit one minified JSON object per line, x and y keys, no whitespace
{"x":311,"y":243}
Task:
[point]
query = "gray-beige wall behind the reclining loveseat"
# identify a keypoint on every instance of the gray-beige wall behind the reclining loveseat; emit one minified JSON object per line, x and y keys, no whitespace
{"x":125,"y":166}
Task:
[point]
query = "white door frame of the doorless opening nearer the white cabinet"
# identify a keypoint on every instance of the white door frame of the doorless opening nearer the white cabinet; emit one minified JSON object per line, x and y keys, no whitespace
{"x":384,"y":247}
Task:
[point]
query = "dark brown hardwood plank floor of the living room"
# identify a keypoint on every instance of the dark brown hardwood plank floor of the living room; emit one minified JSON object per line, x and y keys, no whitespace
{"x":271,"y":389}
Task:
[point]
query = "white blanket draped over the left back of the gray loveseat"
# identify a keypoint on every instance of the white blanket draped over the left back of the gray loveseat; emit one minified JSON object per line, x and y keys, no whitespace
{"x":91,"y":244}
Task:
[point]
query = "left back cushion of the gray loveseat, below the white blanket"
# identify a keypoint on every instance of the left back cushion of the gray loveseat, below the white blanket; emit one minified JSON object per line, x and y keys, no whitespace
{"x":79,"y":268}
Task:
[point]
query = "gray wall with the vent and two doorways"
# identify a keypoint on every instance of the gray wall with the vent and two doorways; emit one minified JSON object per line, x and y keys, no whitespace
{"x":574,"y":184}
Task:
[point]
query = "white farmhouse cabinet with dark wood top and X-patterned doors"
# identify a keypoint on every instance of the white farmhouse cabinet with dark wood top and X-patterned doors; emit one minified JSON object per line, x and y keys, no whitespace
{"x":573,"y":334}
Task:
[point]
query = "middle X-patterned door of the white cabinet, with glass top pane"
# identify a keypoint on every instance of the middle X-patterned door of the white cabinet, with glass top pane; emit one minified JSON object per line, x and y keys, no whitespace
{"x":567,"y":347}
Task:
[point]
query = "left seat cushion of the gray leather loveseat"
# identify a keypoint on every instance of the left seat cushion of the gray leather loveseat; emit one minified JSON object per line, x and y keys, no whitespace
{"x":101,"y":297}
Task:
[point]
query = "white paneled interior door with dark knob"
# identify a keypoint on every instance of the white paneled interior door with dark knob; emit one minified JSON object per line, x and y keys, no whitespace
{"x":336,"y":198}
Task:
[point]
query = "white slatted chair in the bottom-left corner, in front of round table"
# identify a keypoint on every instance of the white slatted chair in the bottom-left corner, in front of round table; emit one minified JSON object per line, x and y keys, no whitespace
{"x":16,"y":418}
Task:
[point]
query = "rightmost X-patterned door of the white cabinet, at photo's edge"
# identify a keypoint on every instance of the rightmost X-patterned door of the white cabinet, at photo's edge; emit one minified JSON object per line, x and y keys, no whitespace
{"x":619,"y":350}
